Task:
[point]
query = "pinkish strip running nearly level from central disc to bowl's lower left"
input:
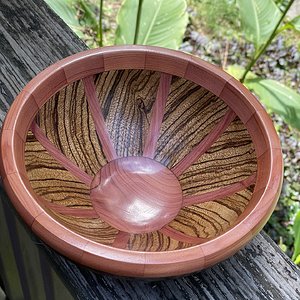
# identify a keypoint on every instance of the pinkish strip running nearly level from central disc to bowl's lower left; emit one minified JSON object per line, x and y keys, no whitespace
{"x":71,"y":211}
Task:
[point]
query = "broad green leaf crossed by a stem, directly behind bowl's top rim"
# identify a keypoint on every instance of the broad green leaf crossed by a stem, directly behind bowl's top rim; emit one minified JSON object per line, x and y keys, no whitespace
{"x":163,"y":23}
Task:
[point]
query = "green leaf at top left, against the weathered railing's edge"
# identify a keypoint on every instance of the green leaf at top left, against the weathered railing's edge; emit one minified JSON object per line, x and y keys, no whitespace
{"x":65,"y":10}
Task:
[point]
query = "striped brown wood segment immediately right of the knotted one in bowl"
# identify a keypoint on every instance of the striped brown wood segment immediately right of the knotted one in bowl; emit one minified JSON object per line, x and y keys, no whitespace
{"x":191,"y":113}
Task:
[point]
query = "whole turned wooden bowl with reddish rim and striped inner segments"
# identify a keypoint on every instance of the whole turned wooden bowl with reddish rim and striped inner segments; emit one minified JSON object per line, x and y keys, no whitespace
{"x":140,"y":161}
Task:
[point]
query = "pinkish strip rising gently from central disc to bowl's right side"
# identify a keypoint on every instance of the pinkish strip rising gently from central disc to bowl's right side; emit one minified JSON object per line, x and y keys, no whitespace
{"x":220,"y":193}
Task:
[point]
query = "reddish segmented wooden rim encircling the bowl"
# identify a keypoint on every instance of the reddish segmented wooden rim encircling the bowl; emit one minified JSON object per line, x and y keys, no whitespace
{"x":126,"y":262}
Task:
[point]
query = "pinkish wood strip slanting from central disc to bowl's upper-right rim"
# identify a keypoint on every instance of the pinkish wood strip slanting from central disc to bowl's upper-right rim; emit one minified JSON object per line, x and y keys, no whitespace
{"x":205,"y":144}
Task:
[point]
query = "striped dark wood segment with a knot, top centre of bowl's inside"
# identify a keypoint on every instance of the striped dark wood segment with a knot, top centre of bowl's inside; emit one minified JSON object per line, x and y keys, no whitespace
{"x":126,"y":98}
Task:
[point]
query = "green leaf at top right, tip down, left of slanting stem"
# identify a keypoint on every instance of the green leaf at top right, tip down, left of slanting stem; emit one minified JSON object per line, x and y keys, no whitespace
{"x":258,"y":18}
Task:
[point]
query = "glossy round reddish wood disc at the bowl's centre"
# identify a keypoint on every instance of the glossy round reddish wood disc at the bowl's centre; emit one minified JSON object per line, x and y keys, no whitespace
{"x":136,"y":194}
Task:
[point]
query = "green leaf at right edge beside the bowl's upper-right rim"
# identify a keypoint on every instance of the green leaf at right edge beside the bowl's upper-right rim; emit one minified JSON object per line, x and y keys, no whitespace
{"x":278,"y":98}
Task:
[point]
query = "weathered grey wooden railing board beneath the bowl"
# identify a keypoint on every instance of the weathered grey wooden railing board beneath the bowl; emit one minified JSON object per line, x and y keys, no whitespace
{"x":31,"y":38}
